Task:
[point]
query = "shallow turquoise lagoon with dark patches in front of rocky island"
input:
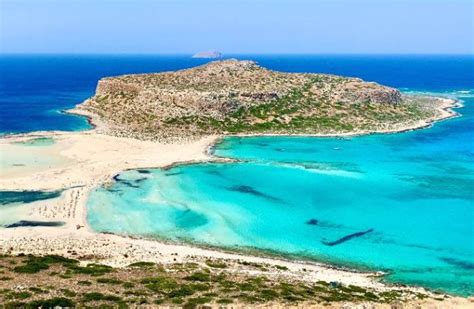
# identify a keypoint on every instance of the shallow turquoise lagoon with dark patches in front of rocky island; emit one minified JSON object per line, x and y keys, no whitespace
{"x":401,"y":203}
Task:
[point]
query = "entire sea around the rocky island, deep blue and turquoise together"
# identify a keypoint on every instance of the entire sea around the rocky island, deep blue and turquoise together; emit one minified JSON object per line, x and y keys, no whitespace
{"x":401,"y":203}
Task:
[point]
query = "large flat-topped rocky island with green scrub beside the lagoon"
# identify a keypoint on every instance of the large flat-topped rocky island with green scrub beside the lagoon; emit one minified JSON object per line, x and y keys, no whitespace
{"x":240,"y":97}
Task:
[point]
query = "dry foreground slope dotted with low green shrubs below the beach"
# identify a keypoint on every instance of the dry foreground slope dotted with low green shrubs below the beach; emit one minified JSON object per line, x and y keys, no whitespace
{"x":48,"y":281}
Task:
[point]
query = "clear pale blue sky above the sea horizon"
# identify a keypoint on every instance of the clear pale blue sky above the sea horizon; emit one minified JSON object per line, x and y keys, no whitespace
{"x":237,"y":27}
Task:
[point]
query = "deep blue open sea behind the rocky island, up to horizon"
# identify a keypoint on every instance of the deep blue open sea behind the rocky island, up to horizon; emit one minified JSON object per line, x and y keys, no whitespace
{"x":34,"y":89}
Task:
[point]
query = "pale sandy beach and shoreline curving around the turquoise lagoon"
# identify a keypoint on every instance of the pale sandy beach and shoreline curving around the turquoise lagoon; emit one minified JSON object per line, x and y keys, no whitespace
{"x":116,"y":154}
